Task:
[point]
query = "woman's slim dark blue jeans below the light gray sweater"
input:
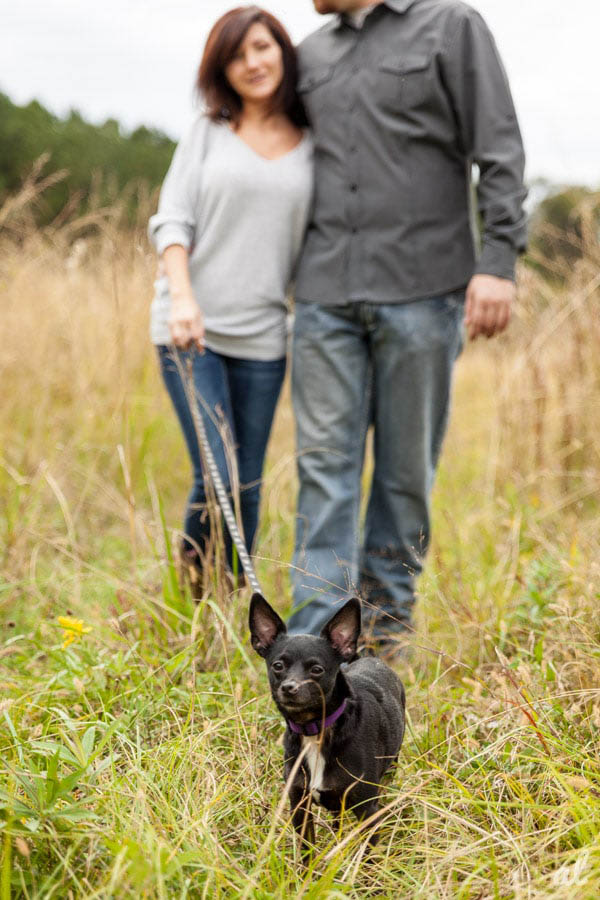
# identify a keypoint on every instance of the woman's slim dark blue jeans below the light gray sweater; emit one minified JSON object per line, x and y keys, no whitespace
{"x":237,"y":399}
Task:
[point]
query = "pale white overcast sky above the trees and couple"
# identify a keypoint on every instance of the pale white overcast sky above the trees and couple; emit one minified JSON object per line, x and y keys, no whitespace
{"x":135,"y":60}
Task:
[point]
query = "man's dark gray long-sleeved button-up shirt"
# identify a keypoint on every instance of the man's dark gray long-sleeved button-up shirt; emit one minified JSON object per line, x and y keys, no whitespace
{"x":401,"y":109}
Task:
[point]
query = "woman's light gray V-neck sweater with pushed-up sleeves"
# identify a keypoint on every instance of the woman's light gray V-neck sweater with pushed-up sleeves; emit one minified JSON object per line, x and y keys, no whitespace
{"x":242,"y":218}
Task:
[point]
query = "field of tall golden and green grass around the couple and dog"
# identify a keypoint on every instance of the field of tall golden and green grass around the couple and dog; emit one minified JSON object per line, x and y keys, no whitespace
{"x":139,"y":750}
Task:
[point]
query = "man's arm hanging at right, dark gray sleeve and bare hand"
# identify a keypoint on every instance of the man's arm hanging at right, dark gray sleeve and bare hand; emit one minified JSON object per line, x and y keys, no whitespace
{"x":489,"y":134}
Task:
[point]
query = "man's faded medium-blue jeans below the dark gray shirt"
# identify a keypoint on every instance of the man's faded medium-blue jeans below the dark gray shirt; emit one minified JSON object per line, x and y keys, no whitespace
{"x":389,"y":365}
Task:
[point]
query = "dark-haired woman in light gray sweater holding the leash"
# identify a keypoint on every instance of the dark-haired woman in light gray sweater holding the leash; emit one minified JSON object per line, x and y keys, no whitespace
{"x":231,"y":218}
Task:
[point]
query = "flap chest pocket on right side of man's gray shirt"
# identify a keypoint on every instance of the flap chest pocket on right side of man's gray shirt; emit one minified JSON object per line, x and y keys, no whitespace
{"x":404,"y":83}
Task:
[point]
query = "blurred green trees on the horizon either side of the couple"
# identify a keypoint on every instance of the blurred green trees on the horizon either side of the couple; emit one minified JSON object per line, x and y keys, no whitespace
{"x":99,"y":162}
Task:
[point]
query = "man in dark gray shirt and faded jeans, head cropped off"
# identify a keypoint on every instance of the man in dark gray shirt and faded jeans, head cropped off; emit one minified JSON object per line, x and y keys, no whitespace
{"x":404,"y":97}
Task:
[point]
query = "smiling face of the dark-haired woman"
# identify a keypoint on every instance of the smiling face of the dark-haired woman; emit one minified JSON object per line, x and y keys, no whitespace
{"x":256,"y":70}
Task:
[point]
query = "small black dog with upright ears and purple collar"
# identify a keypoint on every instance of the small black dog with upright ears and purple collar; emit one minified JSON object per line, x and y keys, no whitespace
{"x":351,"y":716}
